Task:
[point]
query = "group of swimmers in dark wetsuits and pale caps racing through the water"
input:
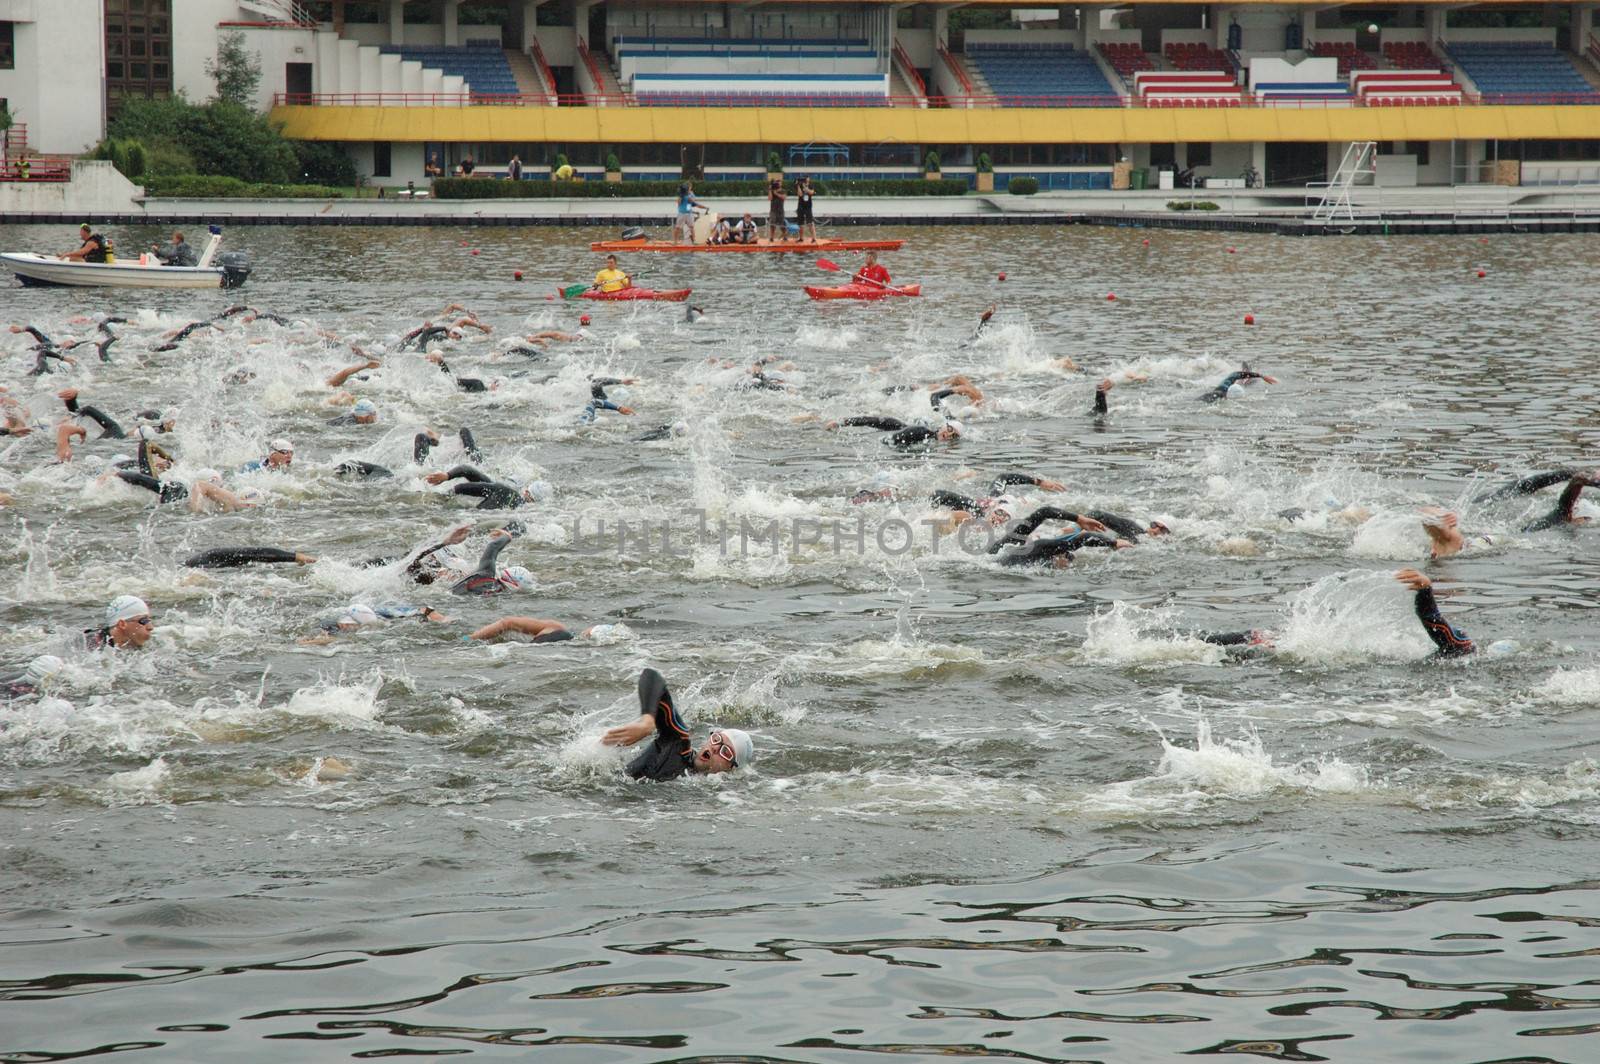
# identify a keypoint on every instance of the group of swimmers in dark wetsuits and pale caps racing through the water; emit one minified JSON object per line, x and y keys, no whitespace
{"x":1020,"y":538}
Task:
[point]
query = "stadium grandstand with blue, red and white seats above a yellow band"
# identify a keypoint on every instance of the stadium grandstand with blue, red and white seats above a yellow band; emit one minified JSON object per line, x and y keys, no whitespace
{"x":1095,"y":97}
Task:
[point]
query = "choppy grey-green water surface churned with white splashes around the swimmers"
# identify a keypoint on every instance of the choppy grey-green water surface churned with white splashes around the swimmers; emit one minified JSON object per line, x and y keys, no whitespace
{"x":998,"y":814}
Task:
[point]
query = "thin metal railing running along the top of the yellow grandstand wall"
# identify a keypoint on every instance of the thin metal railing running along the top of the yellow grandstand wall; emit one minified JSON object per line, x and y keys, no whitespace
{"x":991,"y":102}
